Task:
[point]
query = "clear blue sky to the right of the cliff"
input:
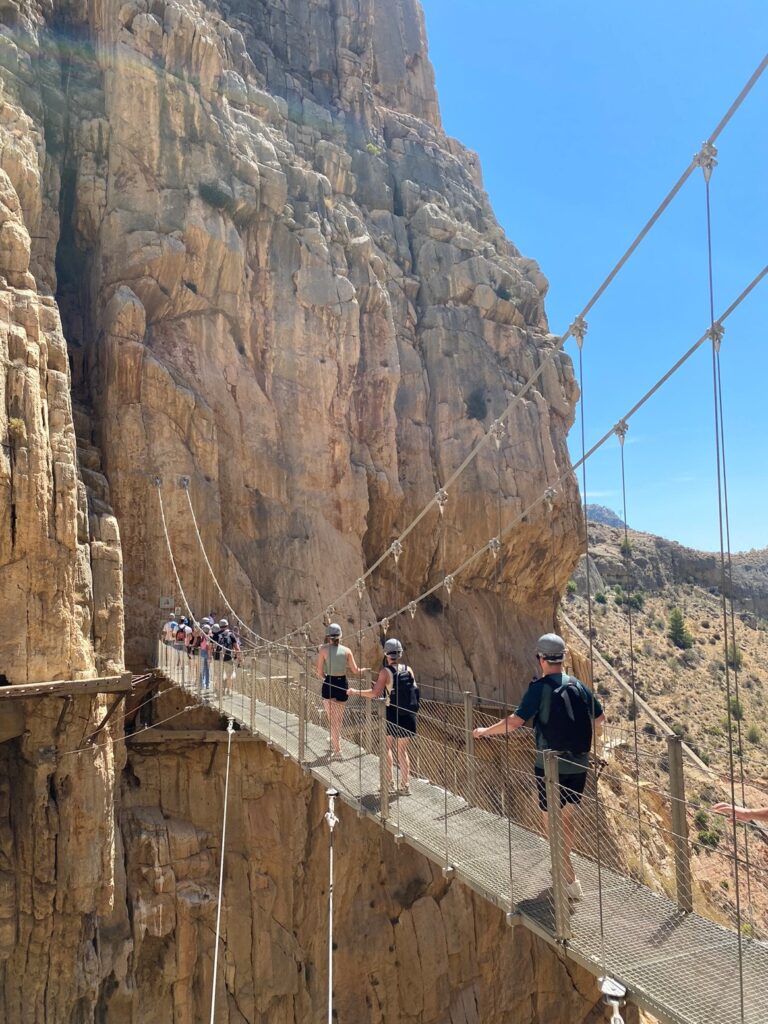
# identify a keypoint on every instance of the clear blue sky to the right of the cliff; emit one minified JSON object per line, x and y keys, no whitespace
{"x":584,"y":115}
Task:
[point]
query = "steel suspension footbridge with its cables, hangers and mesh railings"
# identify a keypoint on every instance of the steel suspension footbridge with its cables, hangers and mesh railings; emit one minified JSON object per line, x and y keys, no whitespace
{"x":649,"y":919}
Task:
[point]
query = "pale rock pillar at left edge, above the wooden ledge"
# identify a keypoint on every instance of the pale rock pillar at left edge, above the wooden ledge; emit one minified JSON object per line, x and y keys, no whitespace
{"x":60,"y":557}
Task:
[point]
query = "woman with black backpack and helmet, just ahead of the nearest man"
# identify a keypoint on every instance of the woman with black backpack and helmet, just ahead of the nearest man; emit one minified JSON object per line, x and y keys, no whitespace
{"x":399,"y":682}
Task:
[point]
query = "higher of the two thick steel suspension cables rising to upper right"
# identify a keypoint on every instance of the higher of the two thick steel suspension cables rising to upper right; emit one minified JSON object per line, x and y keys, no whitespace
{"x":482,"y":444}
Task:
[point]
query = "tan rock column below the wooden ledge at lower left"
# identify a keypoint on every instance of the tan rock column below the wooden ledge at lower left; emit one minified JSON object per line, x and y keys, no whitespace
{"x":60,"y":864}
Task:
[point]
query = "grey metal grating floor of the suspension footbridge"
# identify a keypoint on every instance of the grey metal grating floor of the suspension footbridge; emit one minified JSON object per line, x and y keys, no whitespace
{"x":682,"y":968}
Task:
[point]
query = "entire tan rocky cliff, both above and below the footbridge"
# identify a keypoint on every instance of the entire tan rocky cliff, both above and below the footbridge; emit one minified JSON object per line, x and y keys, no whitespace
{"x":236,"y":245}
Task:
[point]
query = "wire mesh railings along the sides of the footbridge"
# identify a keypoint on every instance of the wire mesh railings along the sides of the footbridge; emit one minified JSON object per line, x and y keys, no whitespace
{"x":475,"y":806}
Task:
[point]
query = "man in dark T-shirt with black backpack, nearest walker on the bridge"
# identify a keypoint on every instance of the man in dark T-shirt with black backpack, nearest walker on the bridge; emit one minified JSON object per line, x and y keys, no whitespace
{"x":564,"y":712}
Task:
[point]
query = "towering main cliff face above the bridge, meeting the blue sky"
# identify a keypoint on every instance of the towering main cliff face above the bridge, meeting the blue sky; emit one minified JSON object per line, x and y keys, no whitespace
{"x":278,"y":277}
